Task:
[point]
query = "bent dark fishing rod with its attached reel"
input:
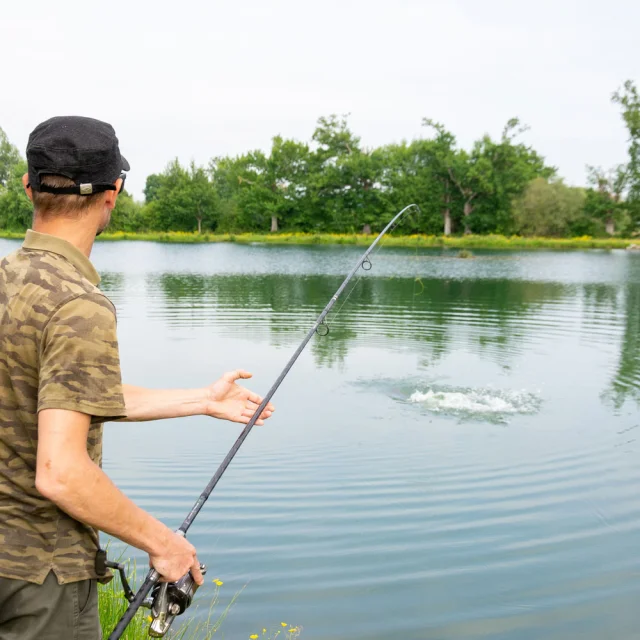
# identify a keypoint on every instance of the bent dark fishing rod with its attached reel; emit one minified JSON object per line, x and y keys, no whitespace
{"x":168,"y":600}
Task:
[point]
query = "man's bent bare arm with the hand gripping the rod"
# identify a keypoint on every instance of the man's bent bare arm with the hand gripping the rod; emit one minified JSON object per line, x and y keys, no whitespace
{"x":66,"y":475}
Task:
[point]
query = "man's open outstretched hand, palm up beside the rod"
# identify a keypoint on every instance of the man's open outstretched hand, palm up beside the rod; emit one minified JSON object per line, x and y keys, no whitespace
{"x":228,"y":401}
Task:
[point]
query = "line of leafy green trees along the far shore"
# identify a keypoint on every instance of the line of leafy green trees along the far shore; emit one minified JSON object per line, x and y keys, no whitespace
{"x":333,"y":183}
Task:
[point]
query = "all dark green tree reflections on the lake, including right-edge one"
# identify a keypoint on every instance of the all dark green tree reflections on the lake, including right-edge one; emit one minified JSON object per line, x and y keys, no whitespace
{"x":495,"y":319}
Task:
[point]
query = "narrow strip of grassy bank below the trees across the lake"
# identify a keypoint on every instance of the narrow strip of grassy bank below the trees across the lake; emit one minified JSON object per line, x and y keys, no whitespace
{"x":452,"y":242}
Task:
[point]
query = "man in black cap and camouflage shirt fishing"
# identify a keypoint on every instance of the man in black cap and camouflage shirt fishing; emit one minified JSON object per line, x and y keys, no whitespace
{"x":59,"y":381}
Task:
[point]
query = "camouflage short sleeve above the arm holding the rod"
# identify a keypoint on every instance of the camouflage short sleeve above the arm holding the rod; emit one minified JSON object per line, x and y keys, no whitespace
{"x":79,"y":360}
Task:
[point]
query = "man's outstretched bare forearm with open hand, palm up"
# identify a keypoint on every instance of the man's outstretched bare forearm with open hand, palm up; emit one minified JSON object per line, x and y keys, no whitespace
{"x":223,"y":399}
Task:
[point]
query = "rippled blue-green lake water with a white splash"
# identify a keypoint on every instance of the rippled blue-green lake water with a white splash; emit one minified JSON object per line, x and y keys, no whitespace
{"x":458,"y":458}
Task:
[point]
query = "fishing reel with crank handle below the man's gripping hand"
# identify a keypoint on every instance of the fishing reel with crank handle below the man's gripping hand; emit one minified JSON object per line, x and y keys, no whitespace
{"x":167,"y":599}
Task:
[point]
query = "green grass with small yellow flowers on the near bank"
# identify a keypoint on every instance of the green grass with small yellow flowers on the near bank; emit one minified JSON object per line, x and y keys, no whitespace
{"x":112,"y":605}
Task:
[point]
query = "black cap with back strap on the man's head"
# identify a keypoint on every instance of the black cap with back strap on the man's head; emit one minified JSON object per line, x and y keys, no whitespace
{"x":81,"y":149}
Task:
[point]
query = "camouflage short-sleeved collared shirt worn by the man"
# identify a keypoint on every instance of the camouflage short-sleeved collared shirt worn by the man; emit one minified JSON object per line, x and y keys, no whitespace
{"x":58,"y":350}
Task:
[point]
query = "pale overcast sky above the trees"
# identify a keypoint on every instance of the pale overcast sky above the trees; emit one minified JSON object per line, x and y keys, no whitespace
{"x":202,"y":78}
